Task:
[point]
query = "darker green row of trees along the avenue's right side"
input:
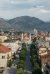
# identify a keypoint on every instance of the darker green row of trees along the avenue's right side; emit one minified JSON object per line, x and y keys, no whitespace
{"x":35,"y":61}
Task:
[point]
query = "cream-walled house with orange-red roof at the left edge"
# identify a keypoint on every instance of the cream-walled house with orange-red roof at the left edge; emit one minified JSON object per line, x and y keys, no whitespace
{"x":5,"y":56}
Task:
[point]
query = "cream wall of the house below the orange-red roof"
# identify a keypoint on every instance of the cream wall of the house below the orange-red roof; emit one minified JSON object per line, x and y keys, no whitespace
{"x":3,"y":61}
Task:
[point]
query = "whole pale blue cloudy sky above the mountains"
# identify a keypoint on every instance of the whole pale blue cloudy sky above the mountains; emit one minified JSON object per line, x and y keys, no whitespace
{"x":15,"y":8}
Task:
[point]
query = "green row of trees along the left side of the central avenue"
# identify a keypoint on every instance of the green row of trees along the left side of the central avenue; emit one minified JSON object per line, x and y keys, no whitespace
{"x":22,"y":57}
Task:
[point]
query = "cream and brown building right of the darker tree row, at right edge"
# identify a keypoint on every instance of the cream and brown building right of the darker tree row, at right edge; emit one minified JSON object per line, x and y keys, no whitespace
{"x":44,"y":54}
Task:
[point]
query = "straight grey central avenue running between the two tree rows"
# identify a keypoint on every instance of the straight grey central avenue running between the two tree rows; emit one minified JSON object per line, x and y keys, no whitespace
{"x":28,"y":67}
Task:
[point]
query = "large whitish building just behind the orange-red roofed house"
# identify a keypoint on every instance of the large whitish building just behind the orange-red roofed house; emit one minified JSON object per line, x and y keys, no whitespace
{"x":13,"y":45}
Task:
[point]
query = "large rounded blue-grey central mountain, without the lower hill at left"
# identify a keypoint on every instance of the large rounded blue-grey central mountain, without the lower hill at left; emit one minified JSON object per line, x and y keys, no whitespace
{"x":26,"y":23}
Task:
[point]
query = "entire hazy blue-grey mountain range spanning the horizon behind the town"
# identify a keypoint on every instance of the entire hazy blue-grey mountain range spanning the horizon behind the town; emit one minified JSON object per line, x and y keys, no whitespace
{"x":24,"y":23}
